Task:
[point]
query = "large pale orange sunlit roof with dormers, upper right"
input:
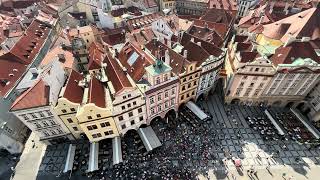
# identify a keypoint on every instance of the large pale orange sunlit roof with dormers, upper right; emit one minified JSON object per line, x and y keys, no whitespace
{"x":303,"y":24}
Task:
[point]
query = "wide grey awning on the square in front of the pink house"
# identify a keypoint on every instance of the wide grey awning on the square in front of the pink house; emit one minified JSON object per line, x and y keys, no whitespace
{"x":149,"y":138}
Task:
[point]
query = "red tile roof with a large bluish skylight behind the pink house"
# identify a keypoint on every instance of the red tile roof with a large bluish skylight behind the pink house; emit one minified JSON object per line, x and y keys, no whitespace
{"x":136,"y":69}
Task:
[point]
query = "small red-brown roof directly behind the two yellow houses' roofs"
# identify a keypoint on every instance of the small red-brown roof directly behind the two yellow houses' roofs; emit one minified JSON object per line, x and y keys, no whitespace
{"x":96,"y":56}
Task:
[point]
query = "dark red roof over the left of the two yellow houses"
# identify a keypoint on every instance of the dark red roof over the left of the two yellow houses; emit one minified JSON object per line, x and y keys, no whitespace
{"x":73,"y":92}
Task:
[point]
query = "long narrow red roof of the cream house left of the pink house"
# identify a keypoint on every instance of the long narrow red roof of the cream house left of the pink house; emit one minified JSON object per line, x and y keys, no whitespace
{"x":115,"y":74}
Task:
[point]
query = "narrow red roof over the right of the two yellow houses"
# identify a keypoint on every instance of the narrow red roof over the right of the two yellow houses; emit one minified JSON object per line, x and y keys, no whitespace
{"x":96,"y":93}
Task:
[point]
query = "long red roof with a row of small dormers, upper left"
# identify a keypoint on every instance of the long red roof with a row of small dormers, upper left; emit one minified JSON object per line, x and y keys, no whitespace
{"x":31,"y":42}
